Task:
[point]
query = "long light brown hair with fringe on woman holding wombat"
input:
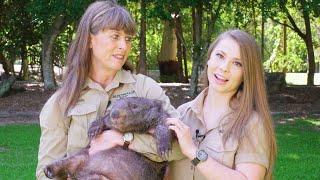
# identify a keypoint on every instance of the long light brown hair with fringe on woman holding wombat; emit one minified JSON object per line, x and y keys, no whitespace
{"x":99,"y":15}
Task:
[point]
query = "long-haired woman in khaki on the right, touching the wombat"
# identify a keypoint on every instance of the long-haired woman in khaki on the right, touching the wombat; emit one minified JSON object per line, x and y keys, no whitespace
{"x":226,"y":132}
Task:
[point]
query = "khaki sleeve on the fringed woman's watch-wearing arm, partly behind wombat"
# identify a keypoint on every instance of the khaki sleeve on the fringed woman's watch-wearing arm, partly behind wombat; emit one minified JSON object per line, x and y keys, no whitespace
{"x":144,"y":143}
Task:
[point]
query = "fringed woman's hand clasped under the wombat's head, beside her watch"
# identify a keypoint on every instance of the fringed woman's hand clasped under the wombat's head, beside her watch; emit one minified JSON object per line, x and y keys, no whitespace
{"x":106,"y":140}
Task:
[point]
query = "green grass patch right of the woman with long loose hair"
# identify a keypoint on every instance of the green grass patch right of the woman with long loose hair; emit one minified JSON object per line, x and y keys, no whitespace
{"x":298,"y":149}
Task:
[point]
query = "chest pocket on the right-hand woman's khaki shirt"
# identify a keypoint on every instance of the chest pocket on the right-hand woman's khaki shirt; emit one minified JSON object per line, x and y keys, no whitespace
{"x":224,"y":154}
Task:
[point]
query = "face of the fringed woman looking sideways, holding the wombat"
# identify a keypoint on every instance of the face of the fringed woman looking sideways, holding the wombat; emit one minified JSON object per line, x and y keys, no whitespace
{"x":110,"y":49}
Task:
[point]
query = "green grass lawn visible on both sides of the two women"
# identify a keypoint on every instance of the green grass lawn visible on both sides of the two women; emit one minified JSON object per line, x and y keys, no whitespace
{"x":298,"y":156}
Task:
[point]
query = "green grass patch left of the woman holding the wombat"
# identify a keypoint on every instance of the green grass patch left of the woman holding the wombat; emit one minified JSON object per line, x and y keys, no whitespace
{"x":18,"y":151}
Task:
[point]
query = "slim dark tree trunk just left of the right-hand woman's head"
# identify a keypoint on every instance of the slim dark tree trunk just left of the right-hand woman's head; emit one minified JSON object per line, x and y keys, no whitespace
{"x":196,"y":55}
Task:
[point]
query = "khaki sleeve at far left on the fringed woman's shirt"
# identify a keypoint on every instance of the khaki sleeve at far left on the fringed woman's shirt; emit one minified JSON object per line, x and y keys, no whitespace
{"x":53,"y":139}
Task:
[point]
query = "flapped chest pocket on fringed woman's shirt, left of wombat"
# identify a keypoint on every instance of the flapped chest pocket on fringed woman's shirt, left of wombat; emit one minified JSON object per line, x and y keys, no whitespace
{"x":82,"y":115}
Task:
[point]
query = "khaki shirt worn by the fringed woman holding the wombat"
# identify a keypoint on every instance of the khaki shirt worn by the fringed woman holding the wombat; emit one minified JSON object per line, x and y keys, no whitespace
{"x":62,"y":135}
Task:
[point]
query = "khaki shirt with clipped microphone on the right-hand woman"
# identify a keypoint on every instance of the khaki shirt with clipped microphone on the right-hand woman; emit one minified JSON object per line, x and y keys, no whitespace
{"x":252,"y":149}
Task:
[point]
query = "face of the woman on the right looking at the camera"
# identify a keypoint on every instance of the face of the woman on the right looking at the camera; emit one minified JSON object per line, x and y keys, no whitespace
{"x":225,"y":71}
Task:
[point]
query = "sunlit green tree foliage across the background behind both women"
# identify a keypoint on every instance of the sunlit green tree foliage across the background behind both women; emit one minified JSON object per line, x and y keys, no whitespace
{"x":26,"y":29}
